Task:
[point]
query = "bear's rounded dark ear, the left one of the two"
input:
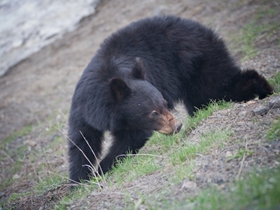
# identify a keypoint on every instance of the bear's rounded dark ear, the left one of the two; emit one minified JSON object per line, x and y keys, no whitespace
{"x":119,"y":89}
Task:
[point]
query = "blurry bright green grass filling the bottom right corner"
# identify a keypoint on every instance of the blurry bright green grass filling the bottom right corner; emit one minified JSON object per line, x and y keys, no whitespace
{"x":259,"y":190}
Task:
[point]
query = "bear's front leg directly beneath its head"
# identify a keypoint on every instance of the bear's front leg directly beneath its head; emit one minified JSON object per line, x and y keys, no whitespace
{"x":125,"y":141}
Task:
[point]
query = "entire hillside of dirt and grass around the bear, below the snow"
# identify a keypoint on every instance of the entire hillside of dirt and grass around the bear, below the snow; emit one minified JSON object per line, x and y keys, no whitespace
{"x":229,"y":144}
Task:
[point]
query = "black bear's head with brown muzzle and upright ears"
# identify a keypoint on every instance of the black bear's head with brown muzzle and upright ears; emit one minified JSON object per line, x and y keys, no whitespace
{"x":139,"y":105}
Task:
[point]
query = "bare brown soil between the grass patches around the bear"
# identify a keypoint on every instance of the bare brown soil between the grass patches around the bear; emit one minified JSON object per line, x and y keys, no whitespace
{"x":39,"y":90}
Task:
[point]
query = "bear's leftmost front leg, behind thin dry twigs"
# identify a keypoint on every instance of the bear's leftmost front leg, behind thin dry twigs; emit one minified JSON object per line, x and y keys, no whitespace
{"x":81,"y":163}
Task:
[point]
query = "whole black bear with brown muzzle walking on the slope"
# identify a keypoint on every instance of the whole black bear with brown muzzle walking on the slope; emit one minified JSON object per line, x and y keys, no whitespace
{"x":138,"y":74}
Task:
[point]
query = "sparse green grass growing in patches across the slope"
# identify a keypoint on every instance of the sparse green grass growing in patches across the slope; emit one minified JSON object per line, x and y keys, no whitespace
{"x":169,"y":156}
